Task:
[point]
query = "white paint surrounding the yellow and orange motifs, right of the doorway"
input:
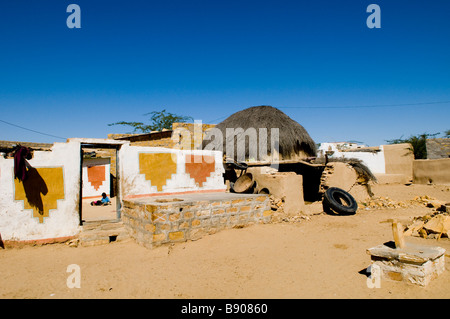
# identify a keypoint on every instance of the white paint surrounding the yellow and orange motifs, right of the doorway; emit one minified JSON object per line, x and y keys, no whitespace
{"x":133,"y":183}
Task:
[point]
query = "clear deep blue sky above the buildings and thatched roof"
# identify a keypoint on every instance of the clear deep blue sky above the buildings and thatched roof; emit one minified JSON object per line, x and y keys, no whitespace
{"x":209,"y":59}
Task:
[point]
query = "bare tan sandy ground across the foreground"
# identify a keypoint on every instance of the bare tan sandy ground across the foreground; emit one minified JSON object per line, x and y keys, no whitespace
{"x":323,"y":257}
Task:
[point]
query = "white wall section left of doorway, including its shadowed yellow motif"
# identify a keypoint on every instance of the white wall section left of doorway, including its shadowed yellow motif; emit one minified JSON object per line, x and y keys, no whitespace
{"x":45,"y":206}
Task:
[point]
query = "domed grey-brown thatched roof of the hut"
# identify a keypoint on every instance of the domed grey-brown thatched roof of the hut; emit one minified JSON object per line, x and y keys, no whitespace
{"x":261,"y":133}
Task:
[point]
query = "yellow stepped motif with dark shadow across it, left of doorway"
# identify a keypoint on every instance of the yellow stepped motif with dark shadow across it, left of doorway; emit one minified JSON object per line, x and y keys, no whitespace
{"x":41,"y":190}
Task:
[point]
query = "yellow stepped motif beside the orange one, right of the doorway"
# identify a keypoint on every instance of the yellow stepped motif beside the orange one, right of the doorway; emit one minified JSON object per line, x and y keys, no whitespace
{"x":157,"y":168}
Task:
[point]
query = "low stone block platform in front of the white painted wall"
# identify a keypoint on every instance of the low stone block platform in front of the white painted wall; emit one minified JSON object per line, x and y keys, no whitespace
{"x":163,"y":221}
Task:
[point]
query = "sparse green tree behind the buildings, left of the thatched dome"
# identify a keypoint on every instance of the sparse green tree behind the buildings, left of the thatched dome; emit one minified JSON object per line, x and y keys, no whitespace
{"x":158,"y":121}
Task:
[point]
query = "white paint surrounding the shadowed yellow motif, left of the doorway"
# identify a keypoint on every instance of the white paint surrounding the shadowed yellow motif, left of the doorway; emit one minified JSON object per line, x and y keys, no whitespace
{"x":17,"y":223}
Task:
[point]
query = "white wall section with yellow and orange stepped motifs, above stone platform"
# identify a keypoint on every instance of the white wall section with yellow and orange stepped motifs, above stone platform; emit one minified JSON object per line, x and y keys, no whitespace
{"x":147,"y":171}
